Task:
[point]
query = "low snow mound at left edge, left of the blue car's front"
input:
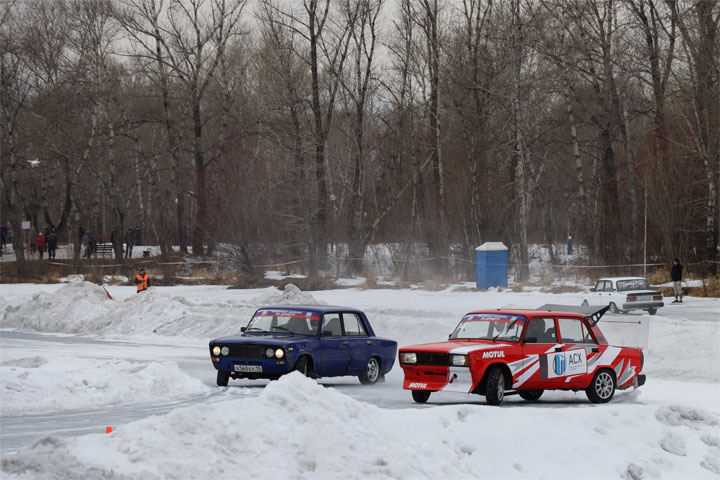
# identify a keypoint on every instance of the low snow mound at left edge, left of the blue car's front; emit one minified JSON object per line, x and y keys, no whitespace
{"x":52,"y":384}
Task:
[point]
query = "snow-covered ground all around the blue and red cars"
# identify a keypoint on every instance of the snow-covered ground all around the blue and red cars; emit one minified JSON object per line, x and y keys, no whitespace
{"x":139,"y":363}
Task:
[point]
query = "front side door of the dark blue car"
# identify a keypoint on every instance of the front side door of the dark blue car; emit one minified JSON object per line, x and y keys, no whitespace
{"x":333,"y":354}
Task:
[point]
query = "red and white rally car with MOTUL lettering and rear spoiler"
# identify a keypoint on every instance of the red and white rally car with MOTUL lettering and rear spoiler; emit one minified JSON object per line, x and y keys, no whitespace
{"x":505,"y":351}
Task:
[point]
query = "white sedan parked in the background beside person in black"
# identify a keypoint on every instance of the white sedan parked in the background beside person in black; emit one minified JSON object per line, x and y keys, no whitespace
{"x":623,"y":294}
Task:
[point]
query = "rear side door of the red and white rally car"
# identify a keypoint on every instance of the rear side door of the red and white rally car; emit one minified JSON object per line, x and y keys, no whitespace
{"x":578,"y":346}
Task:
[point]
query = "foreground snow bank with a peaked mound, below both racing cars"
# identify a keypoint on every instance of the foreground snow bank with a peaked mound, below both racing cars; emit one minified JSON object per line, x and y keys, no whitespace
{"x":298,"y":429}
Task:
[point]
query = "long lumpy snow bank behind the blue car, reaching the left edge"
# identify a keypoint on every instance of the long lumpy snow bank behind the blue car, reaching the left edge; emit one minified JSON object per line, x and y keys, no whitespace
{"x":84,"y":308}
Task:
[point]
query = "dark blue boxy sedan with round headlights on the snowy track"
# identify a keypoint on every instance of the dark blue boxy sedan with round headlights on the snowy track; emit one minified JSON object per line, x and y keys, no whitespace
{"x":318,"y":341}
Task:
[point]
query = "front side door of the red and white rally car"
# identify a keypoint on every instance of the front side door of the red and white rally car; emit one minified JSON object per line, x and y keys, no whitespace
{"x":540,"y":348}
